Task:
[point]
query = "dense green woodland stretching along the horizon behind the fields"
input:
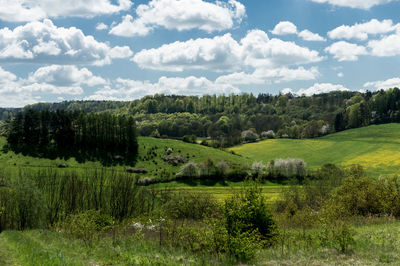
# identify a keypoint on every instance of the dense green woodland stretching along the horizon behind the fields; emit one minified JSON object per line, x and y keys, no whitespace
{"x":226,"y":119}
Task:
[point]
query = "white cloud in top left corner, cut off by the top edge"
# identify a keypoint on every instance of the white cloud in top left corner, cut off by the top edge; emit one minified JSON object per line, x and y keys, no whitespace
{"x":29,"y":10}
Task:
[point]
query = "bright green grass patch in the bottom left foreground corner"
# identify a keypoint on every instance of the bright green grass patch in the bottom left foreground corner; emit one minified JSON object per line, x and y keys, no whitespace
{"x":42,"y":247}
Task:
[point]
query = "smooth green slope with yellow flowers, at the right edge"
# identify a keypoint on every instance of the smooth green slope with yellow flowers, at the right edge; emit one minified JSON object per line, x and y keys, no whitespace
{"x":376,"y":147}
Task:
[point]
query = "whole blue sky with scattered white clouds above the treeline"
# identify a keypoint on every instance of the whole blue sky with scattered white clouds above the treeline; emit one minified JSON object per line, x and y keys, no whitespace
{"x":56,"y":50}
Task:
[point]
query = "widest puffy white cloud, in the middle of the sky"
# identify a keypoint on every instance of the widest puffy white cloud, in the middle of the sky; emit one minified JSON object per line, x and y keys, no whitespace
{"x":223,"y":53}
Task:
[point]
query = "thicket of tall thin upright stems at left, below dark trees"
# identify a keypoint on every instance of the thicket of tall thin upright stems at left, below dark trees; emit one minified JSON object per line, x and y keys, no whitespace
{"x":39,"y":199}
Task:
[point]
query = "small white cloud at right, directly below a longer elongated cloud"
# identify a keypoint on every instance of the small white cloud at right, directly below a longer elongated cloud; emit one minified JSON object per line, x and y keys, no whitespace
{"x":344,"y":51}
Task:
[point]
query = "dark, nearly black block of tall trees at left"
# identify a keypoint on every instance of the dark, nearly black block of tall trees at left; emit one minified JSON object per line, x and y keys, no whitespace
{"x":104,"y":137}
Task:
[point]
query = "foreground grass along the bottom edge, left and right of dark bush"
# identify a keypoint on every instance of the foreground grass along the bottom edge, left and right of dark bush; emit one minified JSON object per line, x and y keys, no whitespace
{"x":375,"y":245}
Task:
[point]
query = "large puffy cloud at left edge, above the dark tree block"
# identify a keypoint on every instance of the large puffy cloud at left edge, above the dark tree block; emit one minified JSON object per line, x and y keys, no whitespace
{"x":43,"y":42}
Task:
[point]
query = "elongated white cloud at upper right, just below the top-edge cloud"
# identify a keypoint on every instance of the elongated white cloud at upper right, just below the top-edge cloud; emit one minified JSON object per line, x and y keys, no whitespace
{"x":363,"y":30}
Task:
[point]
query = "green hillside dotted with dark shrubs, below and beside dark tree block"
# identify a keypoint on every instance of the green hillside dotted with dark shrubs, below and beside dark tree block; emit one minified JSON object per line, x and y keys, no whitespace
{"x":151,"y":154}
